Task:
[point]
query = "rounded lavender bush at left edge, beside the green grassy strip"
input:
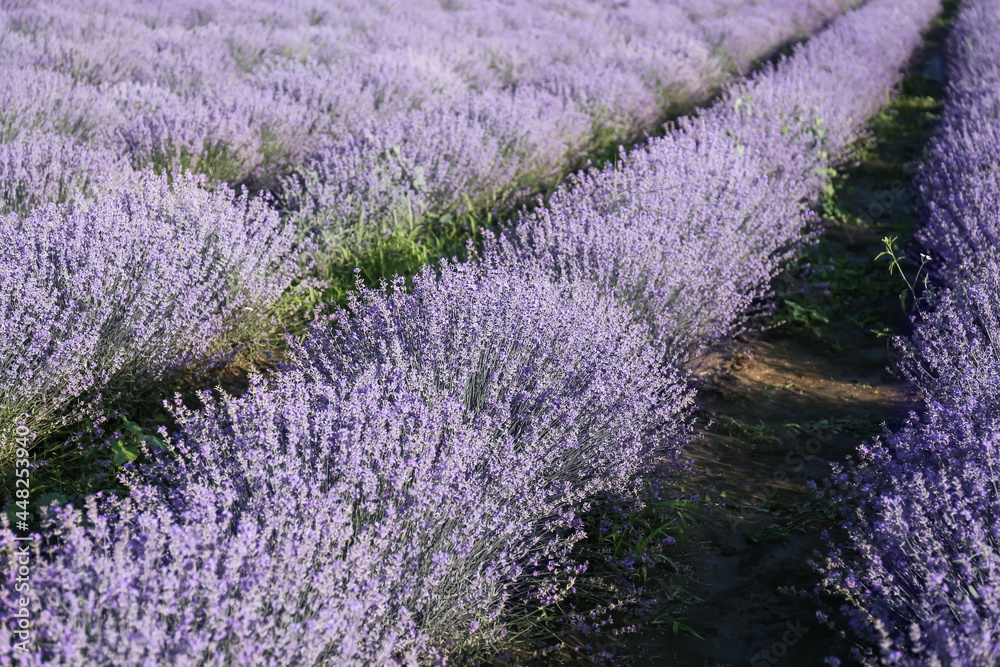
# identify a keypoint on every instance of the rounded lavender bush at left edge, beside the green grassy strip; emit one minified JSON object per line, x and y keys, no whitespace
{"x":129,"y":285}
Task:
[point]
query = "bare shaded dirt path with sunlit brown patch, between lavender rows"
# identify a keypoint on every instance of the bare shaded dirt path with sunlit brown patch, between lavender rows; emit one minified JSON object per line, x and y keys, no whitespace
{"x":748,"y":561}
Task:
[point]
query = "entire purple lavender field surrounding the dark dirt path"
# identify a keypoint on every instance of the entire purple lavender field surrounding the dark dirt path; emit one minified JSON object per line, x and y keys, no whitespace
{"x":375,"y":333}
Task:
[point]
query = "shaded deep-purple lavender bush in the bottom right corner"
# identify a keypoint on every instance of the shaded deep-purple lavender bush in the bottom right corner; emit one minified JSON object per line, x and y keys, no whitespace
{"x":923,"y":572}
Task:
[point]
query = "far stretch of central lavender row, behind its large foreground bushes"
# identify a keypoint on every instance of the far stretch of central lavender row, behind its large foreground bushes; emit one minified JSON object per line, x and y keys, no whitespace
{"x":689,"y":230}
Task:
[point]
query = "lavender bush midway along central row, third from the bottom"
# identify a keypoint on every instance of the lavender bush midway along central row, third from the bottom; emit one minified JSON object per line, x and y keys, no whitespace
{"x":686,"y":232}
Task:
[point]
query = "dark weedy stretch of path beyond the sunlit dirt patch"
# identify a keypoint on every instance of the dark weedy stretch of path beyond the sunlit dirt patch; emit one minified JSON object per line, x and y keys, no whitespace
{"x":863,"y":201}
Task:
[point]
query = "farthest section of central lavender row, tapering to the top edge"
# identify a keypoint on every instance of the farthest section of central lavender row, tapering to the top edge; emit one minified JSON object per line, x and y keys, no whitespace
{"x":804,"y":112}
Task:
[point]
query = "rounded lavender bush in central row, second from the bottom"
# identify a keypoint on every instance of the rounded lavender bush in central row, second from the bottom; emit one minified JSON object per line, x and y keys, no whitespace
{"x":525,"y":357}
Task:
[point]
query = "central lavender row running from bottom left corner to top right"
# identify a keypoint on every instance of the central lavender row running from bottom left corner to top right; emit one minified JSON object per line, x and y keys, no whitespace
{"x":421,"y":464}
